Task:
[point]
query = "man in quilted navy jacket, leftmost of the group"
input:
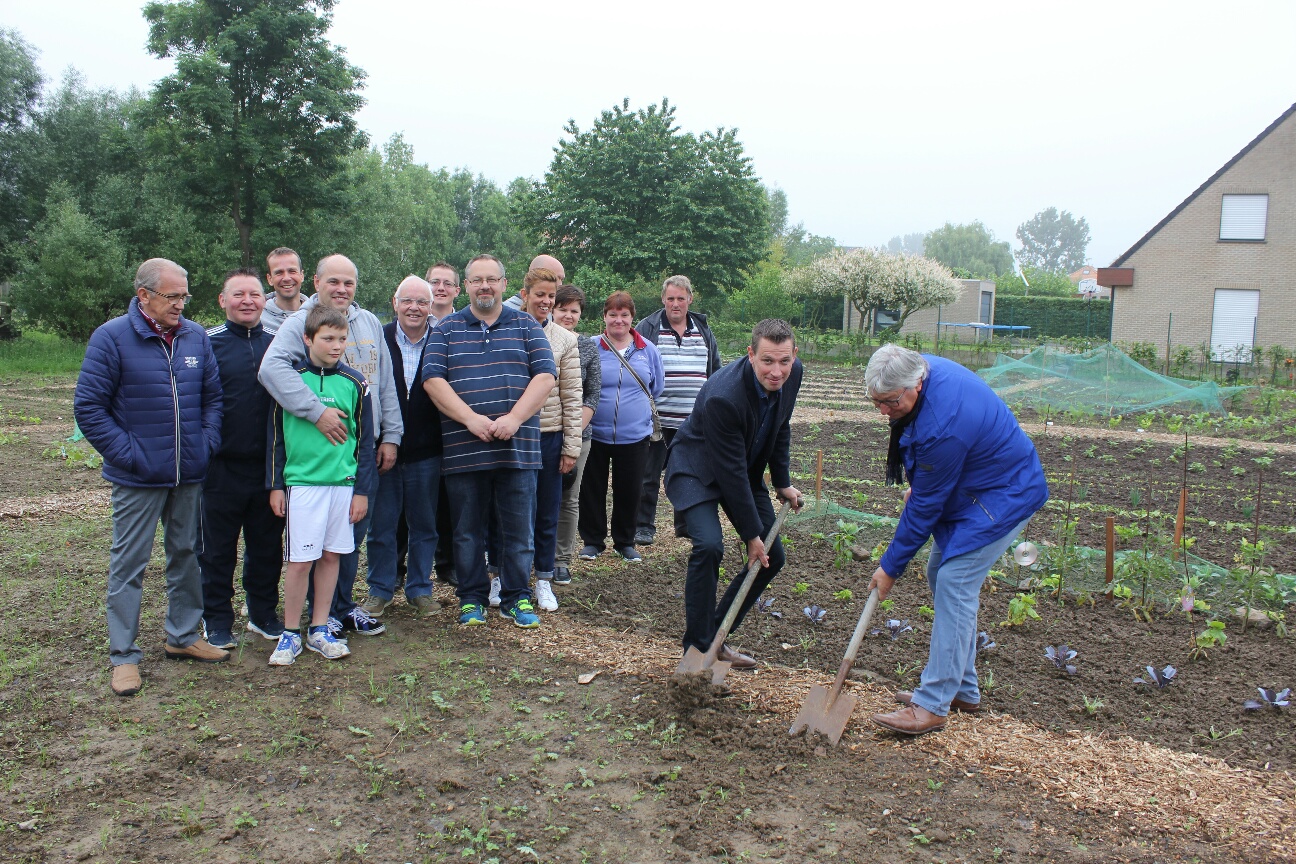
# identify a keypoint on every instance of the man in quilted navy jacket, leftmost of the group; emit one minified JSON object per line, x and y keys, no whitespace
{"x":148,"y":400}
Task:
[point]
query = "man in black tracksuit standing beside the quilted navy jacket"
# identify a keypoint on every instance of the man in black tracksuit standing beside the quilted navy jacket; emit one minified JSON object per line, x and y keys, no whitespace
{"x":234,"y":495}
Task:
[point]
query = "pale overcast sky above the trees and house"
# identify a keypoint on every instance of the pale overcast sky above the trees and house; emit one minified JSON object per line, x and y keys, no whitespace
{"x":877,"y":121}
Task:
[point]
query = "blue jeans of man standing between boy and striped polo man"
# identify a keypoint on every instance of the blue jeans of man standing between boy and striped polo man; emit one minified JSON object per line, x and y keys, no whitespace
{"x":414,"y":488}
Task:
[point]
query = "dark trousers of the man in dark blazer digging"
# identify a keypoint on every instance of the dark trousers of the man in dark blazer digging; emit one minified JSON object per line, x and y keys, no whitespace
{"x":703,"y":615}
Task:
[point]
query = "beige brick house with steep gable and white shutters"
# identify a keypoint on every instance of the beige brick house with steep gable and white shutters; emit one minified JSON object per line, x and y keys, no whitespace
{"x":1220,"y":270}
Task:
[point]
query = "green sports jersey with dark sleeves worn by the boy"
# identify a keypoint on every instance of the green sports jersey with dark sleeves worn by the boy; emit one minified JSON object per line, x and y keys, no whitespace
{"x":300,"y":454}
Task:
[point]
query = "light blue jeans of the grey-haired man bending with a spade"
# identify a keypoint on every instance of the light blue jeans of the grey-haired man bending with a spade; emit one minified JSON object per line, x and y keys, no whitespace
{"x":957,"y":597}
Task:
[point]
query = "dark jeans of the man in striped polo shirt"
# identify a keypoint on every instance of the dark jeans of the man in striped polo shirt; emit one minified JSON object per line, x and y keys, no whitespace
{"x":507,"y":497}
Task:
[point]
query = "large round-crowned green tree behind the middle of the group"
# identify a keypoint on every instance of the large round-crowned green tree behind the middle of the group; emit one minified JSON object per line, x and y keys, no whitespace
{"x":637,"y":198}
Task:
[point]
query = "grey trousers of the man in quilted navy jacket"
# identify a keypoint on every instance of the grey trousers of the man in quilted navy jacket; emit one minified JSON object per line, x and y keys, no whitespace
{"x":135,"y":519}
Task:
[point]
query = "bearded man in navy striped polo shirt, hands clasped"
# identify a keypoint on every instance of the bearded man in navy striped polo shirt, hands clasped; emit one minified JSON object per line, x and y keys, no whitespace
{"x":489,"y":370}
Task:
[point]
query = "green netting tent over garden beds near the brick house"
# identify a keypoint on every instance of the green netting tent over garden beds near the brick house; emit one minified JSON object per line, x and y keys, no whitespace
{"x":1104,"y":381}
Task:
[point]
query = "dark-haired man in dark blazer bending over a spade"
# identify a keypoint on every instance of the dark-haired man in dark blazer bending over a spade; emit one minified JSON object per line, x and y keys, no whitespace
{"x":741,"y":426}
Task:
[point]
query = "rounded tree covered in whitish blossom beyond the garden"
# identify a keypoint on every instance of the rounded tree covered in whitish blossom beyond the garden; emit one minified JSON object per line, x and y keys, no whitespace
{"x":872,"y":279}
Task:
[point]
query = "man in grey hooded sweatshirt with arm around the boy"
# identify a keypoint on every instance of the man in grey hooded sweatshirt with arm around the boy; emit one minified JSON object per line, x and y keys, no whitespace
{"x":366,"y":352}
